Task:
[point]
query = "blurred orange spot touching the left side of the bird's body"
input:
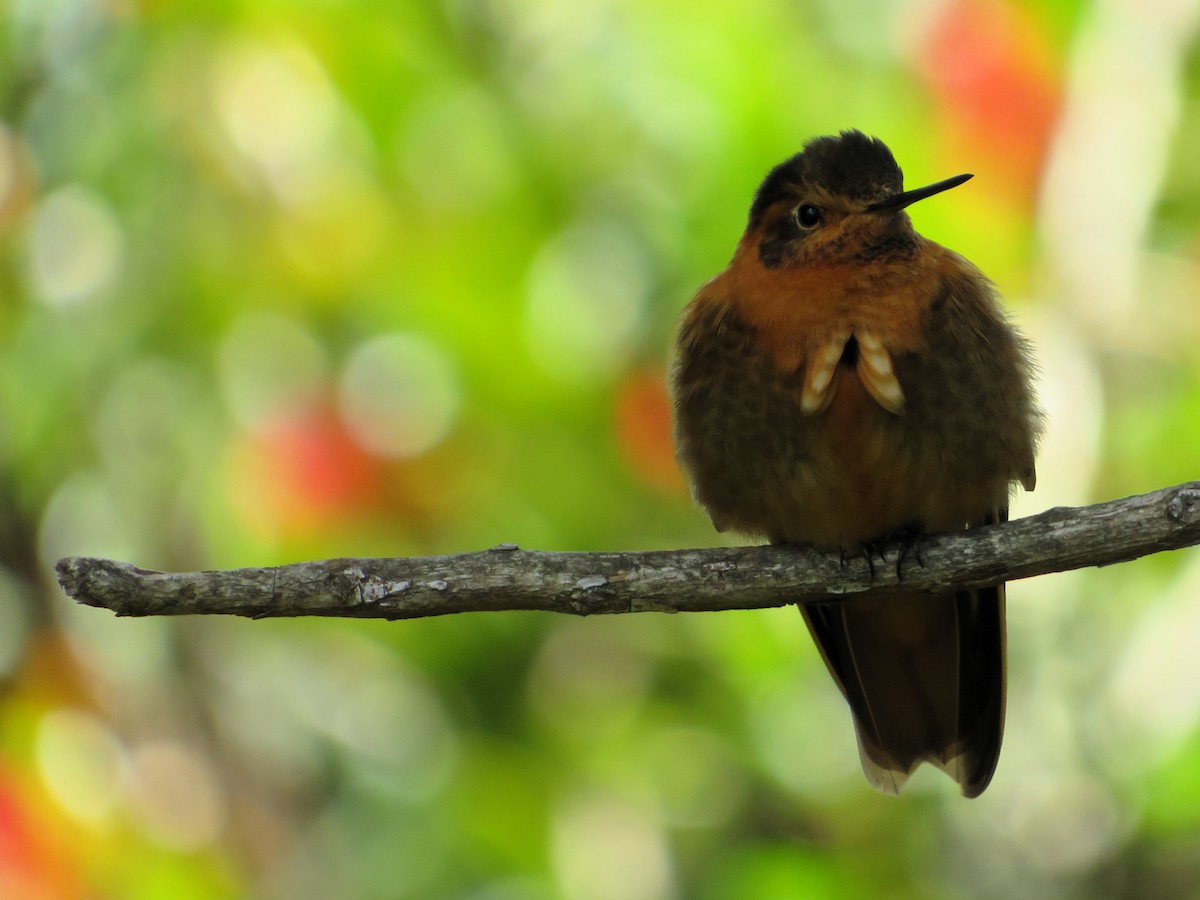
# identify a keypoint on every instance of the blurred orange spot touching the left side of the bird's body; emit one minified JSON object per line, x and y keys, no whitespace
{"x":644,"y":430}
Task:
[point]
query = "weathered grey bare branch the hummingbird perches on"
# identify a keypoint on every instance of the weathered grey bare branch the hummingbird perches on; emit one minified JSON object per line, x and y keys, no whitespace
{"x":507,"y":578}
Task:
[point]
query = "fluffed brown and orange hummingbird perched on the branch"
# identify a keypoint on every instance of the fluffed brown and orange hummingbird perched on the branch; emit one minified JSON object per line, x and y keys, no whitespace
{"x":845,"y":381}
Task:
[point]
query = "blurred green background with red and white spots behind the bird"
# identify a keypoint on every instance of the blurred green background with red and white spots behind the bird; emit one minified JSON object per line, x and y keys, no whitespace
{"x":292,"y":280}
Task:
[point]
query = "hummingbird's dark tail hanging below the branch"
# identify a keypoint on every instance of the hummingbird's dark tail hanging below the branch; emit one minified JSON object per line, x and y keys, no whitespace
{"x":925,"y":677}
